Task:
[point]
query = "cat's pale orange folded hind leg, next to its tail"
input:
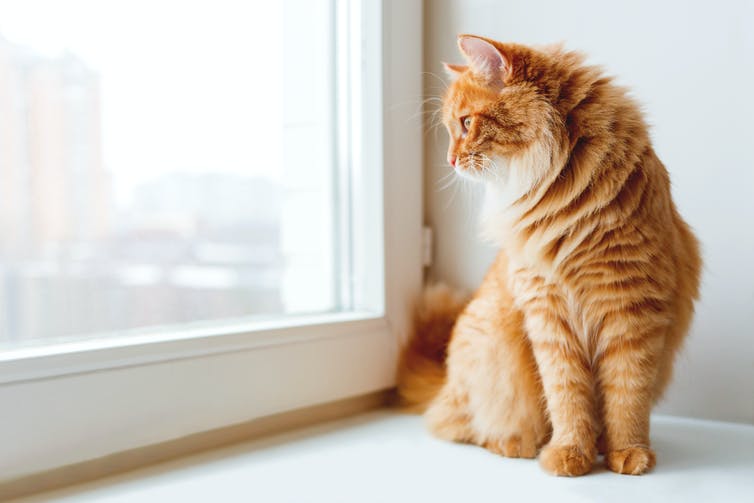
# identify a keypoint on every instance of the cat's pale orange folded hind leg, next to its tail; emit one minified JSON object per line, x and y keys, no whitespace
{"x":490,"y":358}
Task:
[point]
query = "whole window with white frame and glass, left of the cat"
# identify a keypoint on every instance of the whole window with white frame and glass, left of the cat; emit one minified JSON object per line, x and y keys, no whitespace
{"x":218,"y":217}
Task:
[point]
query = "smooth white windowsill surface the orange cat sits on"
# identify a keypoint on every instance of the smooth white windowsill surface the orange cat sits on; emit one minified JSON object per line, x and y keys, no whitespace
{"x":388,"y":457}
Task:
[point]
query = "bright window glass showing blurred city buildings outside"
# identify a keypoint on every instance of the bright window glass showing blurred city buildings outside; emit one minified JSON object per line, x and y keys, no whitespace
{"x":152,"y":181}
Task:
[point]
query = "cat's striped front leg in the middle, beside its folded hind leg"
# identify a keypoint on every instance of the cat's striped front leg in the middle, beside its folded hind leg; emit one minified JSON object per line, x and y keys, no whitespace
{"x":568,"y":386}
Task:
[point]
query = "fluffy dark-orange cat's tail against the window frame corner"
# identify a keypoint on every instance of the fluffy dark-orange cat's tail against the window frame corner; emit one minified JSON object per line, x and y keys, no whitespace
{"x":421,"y":370}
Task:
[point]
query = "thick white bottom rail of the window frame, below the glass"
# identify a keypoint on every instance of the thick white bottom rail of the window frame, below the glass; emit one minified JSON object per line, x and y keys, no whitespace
{"x":82,"y":414}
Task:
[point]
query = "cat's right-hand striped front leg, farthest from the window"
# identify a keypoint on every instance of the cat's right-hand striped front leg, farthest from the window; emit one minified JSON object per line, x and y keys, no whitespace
{"x":627,"y":357}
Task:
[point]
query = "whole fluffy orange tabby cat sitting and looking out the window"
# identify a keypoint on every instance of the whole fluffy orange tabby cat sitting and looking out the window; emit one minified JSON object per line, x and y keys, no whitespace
{"x":572,"y":335}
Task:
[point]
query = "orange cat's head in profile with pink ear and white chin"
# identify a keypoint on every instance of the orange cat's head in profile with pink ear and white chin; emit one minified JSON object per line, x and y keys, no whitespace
{"x":499,"y":114}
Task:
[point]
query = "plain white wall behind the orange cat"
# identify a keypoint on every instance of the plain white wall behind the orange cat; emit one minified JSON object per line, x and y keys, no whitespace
{"x":692,"y":66}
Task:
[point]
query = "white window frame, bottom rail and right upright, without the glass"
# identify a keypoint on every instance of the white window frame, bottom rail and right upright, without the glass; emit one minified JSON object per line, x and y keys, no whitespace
{"x":71,"y":403}
